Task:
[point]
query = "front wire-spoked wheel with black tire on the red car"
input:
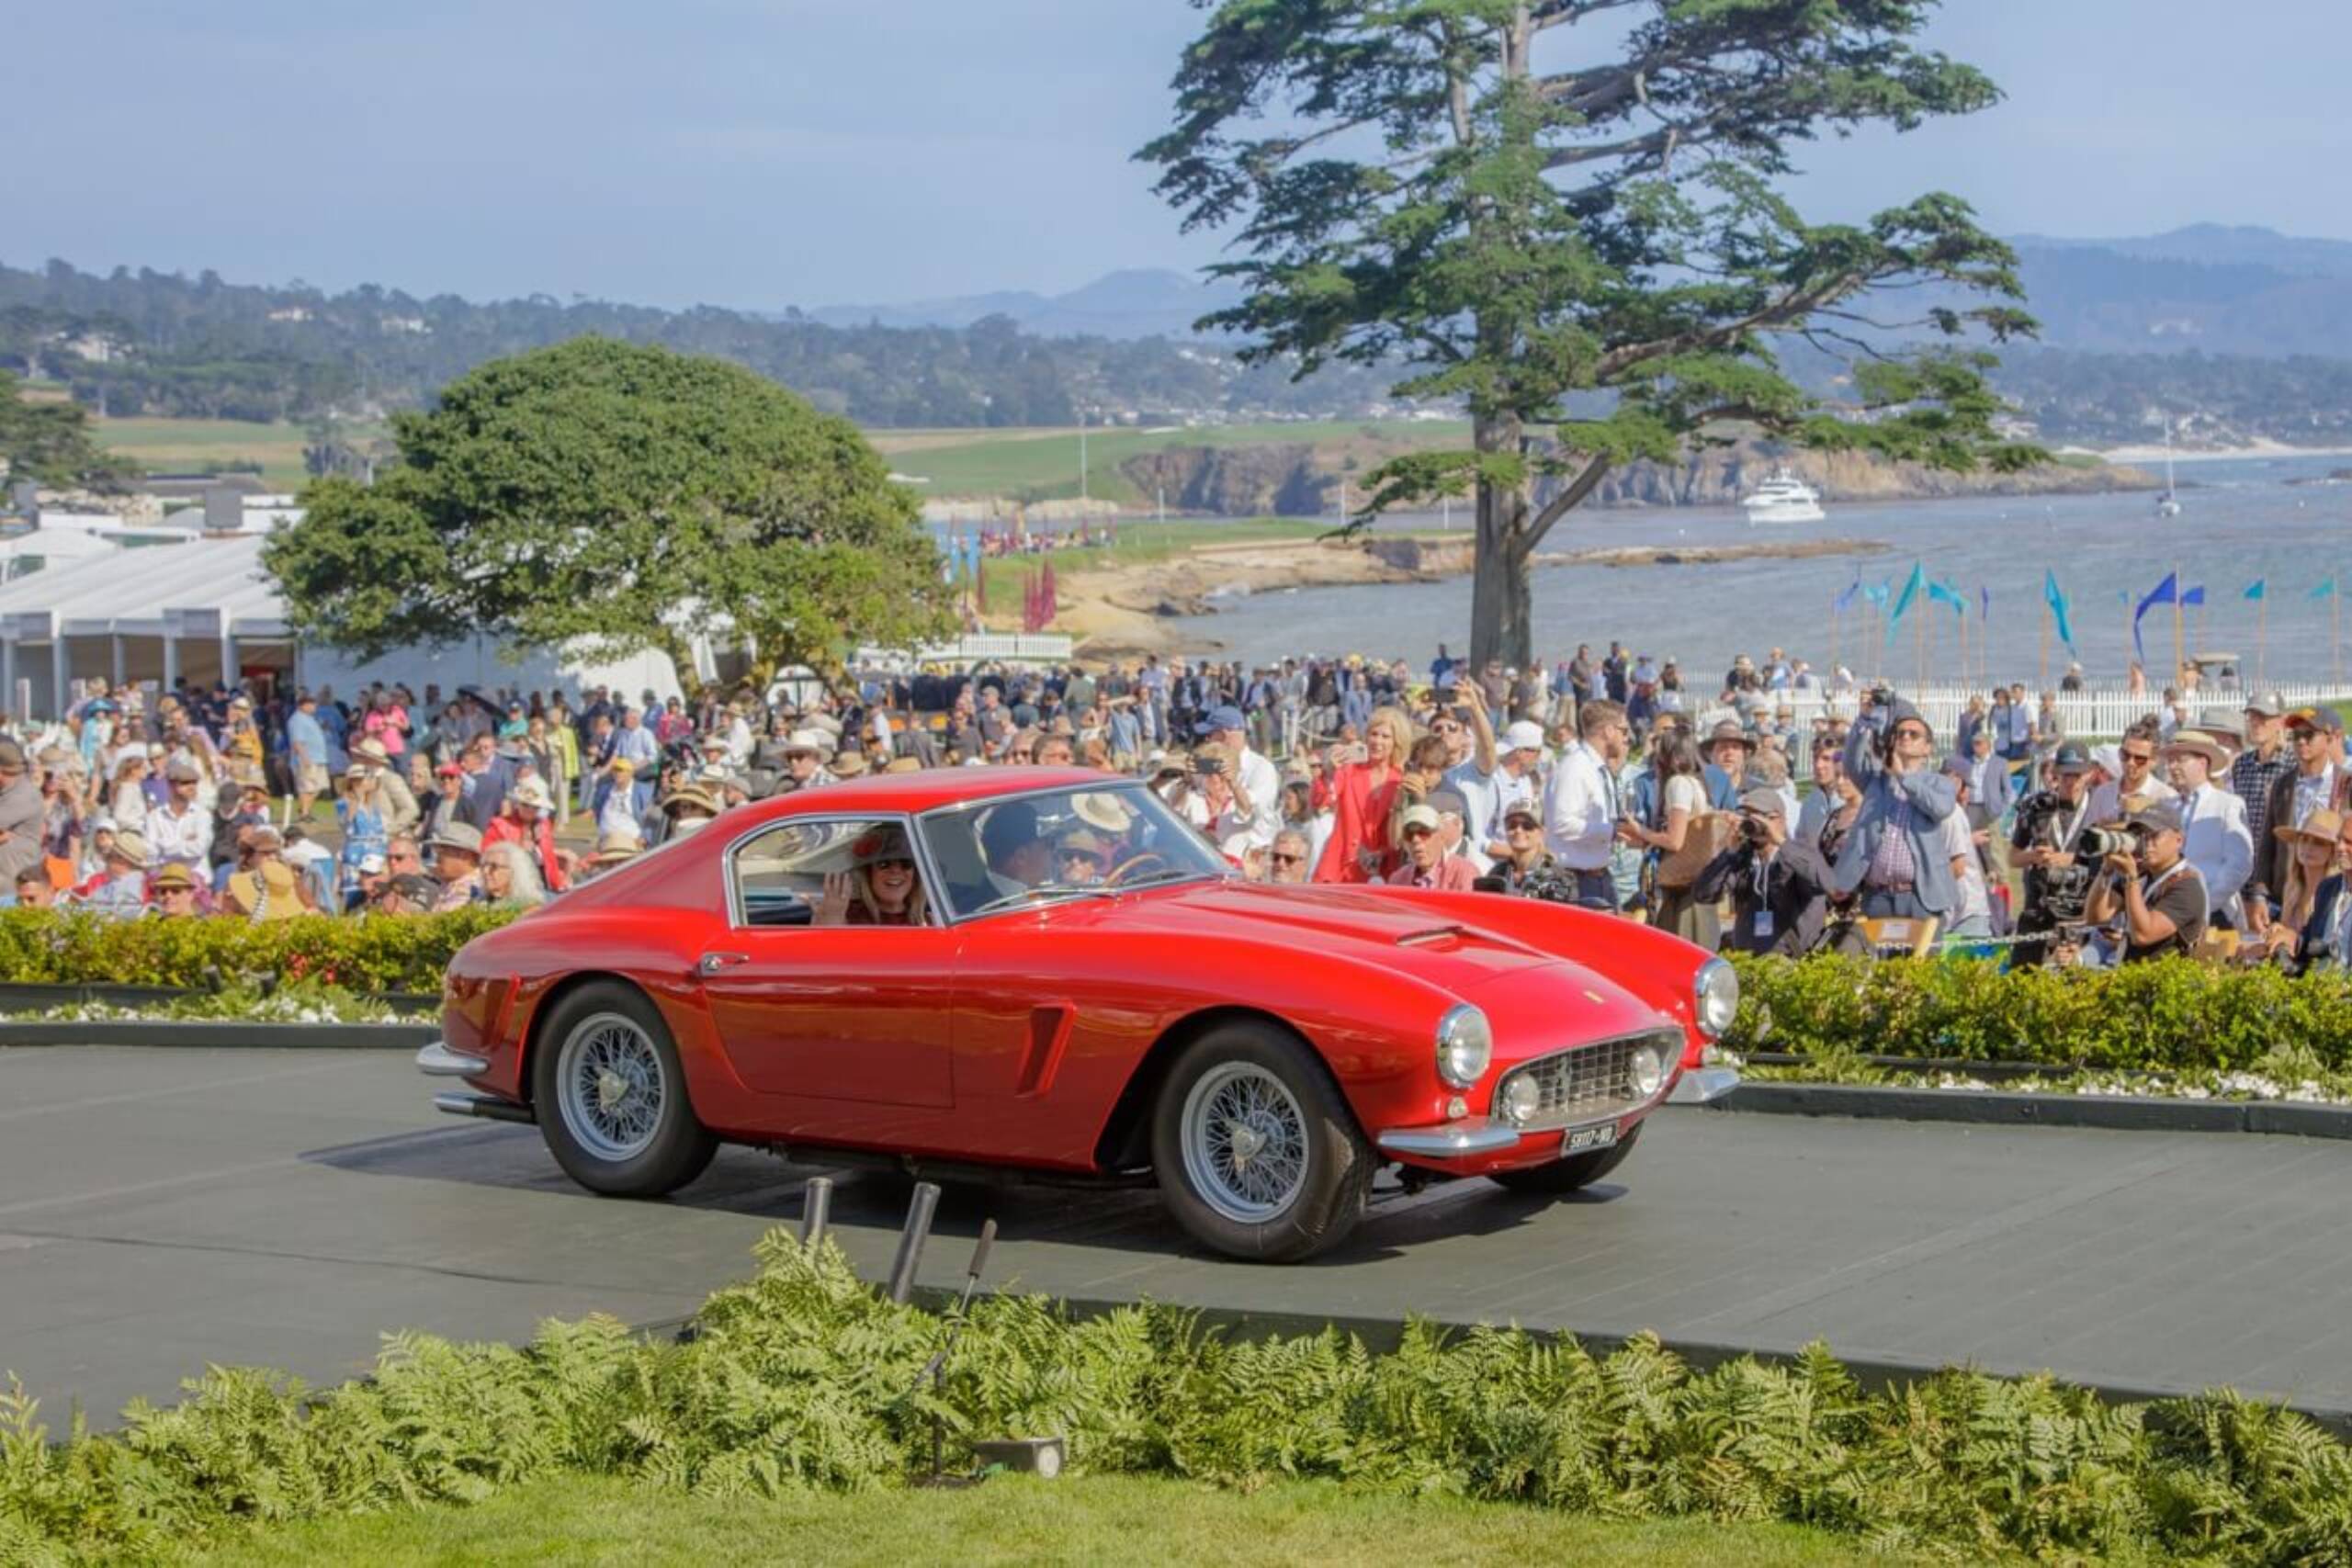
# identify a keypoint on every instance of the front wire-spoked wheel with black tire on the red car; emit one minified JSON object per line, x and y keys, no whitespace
{"x":1335,"y":1165}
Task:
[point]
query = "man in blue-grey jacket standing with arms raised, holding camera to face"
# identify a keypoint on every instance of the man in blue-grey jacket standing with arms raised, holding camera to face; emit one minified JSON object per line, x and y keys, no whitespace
{"x":1892,"y":859}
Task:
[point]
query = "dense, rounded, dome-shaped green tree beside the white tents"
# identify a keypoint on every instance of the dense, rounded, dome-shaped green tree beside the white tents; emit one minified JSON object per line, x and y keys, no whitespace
{"x":624,"y":497}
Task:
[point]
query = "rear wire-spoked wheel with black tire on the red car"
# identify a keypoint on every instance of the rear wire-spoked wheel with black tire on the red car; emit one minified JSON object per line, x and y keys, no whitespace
{"x":674,"y":1151}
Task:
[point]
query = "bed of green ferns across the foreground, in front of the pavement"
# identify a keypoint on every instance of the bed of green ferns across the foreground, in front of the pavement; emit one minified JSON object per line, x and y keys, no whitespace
{"x":801,"y":1379}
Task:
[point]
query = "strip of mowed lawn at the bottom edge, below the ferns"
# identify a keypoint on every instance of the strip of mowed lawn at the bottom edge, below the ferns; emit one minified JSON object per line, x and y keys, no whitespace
{"x":1013,"y":1520}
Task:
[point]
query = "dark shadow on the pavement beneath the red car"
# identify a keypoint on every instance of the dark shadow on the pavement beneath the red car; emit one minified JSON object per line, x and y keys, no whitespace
{"x":1027,"y":1212}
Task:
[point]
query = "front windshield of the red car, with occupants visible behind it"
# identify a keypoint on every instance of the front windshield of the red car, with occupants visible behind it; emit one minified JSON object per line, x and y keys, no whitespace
{"x":1078,"y":843}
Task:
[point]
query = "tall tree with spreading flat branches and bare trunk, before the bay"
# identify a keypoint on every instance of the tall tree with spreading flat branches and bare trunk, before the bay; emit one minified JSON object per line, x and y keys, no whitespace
{"x":1563,"y":215}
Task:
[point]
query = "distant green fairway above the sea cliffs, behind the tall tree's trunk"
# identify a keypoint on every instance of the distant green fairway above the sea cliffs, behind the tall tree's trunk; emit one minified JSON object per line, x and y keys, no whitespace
{"x":1043,"y":467}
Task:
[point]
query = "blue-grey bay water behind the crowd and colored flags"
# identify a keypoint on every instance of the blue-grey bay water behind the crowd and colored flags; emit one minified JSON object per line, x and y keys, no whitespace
{"x":2243,"y":523}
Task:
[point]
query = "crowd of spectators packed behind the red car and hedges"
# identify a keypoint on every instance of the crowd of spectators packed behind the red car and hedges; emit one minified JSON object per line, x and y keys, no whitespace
{"x":1601,"y":782}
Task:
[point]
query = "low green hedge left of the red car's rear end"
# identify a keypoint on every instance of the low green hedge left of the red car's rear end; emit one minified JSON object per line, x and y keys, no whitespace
{"x":361,"y":956}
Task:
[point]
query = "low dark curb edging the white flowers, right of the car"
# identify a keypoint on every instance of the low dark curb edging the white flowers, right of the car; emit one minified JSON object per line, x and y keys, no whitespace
{"x":1998,"y":1108}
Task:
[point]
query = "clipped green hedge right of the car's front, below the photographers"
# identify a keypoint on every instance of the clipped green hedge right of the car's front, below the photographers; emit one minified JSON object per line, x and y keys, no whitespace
{"x":2163,"y":1014}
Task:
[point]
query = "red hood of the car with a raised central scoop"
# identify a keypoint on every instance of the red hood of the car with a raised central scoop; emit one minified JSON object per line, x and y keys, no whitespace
{"x":1368,"y":927}
